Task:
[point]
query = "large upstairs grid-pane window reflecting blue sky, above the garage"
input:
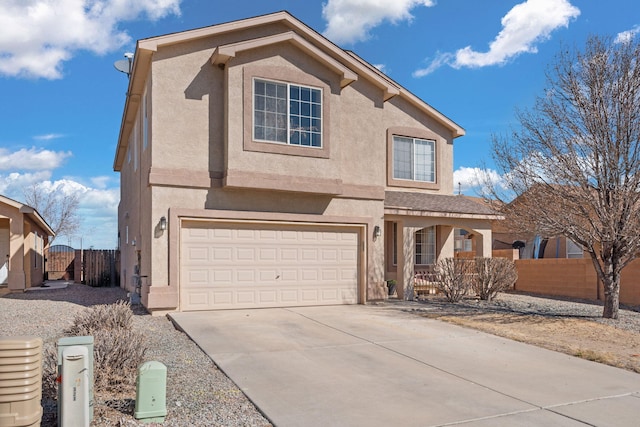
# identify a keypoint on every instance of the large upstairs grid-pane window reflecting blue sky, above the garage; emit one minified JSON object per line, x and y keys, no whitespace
{"x":287,"y":113}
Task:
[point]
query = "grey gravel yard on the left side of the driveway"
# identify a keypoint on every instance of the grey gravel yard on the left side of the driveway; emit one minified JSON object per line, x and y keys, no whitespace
{"x":198,"y":394}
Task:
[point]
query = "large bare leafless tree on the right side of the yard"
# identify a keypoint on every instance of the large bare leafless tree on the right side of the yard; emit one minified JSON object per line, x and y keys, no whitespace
{"x":573,"y":164}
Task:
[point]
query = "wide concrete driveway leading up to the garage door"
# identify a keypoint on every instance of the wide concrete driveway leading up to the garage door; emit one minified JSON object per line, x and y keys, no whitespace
{"x":382,"y":366}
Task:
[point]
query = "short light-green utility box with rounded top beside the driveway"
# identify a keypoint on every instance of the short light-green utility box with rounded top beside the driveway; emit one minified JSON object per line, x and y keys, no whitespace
{"x":151,"y":392}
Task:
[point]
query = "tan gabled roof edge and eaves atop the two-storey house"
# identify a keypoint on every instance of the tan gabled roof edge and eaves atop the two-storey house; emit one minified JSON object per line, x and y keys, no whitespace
{"x":346,"y":63}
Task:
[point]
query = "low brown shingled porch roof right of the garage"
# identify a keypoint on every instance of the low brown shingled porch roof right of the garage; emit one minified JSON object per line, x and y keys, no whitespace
{"x":437,"y":205}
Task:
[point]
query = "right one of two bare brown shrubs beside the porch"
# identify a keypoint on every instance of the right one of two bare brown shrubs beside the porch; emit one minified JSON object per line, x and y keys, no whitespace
{"x":493,"y":275}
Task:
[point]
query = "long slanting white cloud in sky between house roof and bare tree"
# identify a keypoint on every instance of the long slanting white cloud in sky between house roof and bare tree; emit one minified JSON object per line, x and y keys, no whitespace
{"x":523,"y":28}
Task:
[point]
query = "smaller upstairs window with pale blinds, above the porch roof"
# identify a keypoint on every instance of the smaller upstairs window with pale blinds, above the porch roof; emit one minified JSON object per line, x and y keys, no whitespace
{"x":413,"y":159}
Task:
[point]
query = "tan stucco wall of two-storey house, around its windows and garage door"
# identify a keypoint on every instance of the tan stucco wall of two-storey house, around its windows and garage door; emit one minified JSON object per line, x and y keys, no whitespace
{"x":199,"y":159}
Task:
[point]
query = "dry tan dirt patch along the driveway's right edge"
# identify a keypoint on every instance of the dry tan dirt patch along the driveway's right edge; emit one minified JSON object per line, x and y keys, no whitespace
{"x":577,"y":337}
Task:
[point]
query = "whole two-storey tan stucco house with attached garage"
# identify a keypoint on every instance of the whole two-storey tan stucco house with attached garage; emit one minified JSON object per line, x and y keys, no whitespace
{"x":263,"y":166}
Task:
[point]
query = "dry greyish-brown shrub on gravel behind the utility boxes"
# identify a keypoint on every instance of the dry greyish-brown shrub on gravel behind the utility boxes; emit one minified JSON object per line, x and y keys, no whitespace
{"x":118,"y":349}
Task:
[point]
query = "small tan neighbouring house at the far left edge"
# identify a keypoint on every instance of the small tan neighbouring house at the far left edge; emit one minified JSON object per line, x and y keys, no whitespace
{"x":24,"y":235}
